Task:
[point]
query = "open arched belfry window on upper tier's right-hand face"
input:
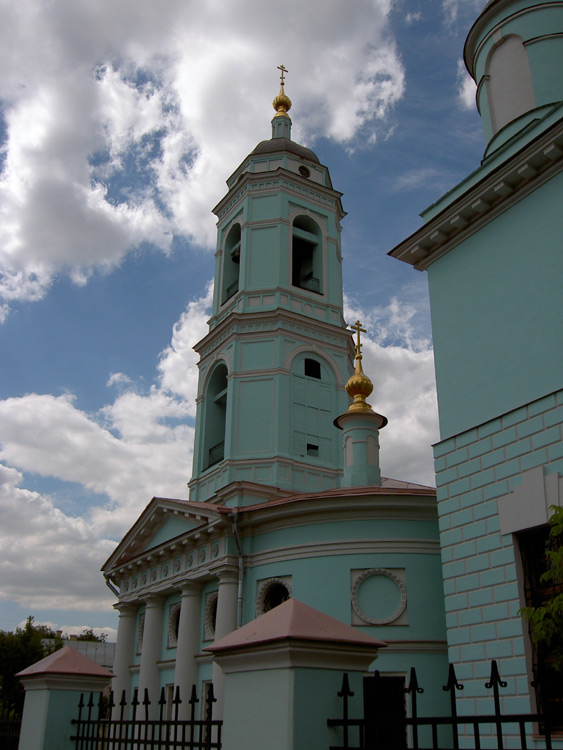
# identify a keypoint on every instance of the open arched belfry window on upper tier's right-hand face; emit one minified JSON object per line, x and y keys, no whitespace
{"x":306,"y":255}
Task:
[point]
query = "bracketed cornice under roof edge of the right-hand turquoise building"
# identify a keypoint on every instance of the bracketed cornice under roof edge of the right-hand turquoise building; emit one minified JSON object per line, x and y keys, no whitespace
{"x":503,"y":187}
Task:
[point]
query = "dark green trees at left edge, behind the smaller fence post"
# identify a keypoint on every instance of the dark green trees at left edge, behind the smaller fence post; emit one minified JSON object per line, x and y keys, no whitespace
{"x":19,"y":650}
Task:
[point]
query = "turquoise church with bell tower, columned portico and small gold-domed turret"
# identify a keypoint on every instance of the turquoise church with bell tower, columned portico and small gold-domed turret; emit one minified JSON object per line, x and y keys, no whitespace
{"x":286,"y":496}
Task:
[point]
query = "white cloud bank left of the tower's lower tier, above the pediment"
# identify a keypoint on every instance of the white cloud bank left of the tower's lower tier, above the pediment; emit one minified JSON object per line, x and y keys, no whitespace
{"x":136,"y":447}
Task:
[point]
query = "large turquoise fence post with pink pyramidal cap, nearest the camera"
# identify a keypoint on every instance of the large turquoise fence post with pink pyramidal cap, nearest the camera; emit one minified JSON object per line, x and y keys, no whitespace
{"x":282,"y":673}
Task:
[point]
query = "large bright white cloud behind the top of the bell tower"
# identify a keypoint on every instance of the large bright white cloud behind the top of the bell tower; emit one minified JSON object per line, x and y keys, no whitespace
{"x":117,"y":132}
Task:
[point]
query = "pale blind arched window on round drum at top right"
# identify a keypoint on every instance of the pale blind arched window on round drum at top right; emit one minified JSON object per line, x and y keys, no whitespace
{"x":510,"y":89}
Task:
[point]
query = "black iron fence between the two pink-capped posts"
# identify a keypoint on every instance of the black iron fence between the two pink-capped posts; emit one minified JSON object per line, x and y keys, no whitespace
{"x":103,"y":725}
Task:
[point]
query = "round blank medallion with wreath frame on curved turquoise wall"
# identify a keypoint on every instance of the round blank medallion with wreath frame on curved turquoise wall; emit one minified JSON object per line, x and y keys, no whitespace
{"x":379,"y":597}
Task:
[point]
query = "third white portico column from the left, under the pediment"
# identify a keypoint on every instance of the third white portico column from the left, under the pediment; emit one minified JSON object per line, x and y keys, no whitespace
{"x":185,"y":671}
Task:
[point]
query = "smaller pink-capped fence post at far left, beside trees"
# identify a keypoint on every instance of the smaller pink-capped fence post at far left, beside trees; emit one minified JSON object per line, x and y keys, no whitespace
{"x":53,"y":687}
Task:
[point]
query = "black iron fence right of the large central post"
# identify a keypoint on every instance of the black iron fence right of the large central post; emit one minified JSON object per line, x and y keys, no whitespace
{"x":382,"y":732}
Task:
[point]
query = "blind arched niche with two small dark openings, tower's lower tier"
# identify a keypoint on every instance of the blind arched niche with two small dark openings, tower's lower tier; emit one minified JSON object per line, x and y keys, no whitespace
{"x":312,"y":409}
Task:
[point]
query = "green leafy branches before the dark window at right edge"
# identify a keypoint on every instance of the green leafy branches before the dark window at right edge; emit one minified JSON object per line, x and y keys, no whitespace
{"x":547,"y":619}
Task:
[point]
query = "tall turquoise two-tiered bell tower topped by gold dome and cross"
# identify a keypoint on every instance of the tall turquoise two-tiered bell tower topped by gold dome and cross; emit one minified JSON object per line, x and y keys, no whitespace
{"x":274,"y":365}
